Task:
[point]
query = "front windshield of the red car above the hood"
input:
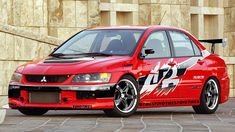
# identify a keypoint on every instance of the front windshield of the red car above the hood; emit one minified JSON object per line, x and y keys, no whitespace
{"x":110,"y":42}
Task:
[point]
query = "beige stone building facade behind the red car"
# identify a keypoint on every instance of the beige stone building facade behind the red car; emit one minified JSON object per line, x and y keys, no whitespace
{"x":30,"y":29}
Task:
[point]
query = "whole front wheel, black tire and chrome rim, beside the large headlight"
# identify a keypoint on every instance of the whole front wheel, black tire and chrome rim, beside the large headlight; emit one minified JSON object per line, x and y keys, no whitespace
{"x":126,"y":97}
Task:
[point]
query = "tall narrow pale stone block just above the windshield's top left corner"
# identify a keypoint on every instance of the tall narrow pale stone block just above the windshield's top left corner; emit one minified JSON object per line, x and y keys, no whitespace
{"x":81,"y":14}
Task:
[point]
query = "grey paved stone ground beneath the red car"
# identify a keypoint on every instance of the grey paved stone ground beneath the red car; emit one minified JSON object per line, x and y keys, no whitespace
{"x":161,"y":119}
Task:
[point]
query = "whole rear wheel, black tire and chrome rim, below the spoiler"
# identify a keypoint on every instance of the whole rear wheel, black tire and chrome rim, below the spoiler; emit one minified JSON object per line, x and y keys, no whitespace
{"x":206,"y":105}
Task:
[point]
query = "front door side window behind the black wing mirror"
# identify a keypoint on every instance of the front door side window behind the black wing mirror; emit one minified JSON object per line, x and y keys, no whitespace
{"x":159,"y":43}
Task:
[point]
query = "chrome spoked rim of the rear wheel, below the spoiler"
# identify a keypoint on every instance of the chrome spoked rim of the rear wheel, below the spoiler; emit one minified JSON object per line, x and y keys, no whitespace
{"x":211,"y":94}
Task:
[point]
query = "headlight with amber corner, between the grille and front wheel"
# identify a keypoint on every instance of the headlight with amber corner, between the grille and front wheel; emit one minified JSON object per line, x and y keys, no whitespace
{"x":93,"y":77}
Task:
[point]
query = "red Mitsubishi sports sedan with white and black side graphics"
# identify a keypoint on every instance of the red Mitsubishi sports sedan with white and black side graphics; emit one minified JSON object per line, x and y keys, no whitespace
{"x":120,"y":69}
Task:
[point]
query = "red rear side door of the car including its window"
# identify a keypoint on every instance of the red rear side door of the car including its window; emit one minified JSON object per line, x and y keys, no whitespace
{"x":189,"y":63}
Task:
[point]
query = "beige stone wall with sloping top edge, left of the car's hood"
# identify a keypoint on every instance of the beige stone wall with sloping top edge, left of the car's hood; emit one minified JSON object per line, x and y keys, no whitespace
{"x":19,"y":47}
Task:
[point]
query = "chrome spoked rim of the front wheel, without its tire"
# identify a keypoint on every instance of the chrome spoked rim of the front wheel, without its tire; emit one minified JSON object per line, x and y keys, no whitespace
{"x":125,"y":96}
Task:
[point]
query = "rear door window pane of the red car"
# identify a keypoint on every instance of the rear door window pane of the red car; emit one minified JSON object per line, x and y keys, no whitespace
{"x":182,"y":44}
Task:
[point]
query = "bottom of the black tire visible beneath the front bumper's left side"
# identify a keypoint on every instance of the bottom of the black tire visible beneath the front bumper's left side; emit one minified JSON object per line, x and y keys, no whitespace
{"x":33,"y":111}
